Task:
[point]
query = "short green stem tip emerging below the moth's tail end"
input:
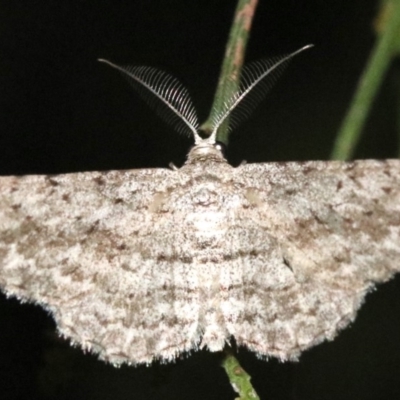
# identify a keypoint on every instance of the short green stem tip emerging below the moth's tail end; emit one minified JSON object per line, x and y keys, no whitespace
{"x":239,"y":378}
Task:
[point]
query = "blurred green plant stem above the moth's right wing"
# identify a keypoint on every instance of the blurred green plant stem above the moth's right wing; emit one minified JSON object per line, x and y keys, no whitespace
{"x":378,"y":63}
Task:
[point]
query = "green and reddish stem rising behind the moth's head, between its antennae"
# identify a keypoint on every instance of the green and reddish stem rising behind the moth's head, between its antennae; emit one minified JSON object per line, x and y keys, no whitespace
{"x":230,"y":72}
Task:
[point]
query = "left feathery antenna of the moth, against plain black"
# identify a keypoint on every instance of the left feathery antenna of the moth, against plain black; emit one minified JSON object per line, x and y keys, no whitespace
{"x":175,"y":105}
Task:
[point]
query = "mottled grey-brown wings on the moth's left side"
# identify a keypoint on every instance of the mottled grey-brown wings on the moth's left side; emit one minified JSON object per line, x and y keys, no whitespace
{"x":76,"y":243}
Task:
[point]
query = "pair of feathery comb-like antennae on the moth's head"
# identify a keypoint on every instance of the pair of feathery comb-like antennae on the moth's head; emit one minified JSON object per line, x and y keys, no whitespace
{"x":176,"y":107}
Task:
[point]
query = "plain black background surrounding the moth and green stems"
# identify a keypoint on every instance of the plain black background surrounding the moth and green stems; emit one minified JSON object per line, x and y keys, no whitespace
{"x":62,"y":111}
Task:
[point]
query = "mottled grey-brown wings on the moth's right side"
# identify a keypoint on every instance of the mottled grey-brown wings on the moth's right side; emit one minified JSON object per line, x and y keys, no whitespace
{"x":335,"y":227}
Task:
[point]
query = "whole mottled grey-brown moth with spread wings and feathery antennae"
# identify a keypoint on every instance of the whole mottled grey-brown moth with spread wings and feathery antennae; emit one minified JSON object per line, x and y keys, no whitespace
{"x":148,"y":264}
